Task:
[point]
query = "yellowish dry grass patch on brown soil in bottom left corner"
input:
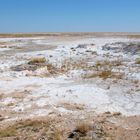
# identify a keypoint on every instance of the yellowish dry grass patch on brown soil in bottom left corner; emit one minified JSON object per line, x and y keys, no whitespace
{"x":32,"y":129}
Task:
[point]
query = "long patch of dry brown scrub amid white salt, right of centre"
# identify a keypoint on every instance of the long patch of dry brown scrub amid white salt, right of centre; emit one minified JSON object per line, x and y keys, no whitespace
{"x":101,"y":69}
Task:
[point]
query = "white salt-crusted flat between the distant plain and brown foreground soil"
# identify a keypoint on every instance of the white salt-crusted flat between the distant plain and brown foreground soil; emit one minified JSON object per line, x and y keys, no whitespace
{"x":75,"y":86}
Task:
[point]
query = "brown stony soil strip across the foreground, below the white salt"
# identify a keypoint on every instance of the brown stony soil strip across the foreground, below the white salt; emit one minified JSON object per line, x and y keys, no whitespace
{"x":98,"y":128}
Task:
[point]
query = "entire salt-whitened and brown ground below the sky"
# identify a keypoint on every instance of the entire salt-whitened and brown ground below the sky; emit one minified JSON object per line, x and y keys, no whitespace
{"x":70,"y":86}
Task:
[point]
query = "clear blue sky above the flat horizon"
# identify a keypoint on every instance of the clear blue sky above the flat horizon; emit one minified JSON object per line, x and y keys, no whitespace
{"x":69,"y":16}
